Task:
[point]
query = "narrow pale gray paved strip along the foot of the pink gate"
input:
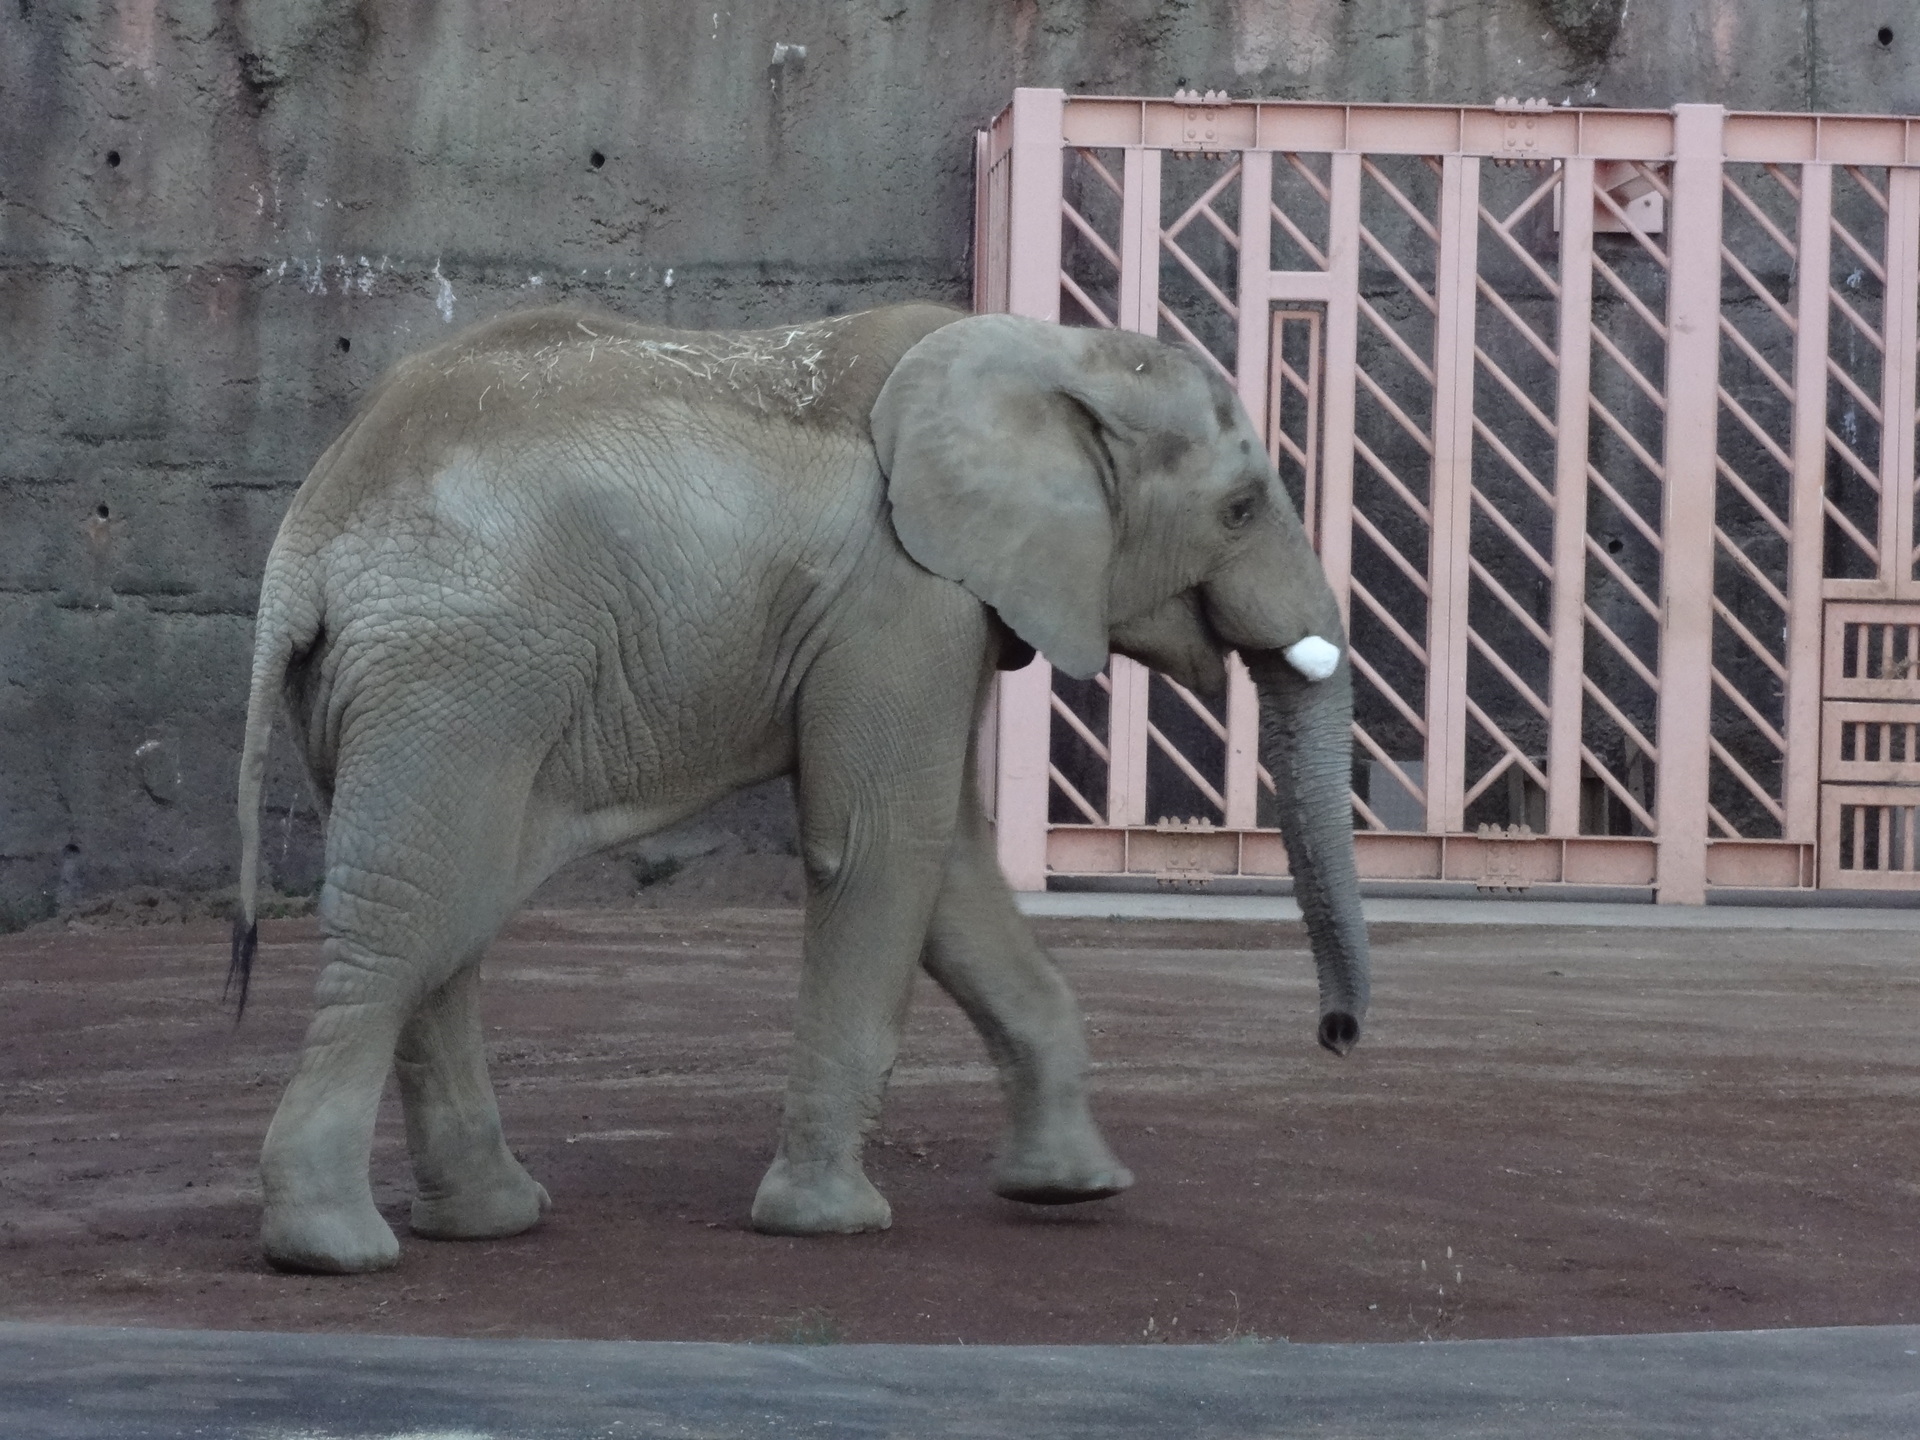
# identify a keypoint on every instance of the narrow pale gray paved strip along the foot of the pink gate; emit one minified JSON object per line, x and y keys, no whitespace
{"x":1095,"y":905}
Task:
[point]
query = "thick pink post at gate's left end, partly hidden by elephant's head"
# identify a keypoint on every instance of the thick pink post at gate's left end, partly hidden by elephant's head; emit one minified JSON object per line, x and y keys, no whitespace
{"x":1034,"y":291}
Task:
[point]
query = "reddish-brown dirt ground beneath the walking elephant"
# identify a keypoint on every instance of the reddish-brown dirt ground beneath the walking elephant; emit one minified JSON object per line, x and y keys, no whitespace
{"x":1543,"y":1132}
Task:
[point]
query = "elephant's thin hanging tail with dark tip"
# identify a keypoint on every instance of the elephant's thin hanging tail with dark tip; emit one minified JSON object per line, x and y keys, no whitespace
{"x":289,"y":625}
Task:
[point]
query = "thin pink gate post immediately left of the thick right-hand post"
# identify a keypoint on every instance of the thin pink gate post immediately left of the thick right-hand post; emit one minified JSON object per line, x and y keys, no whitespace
{"x":1566,"y":692}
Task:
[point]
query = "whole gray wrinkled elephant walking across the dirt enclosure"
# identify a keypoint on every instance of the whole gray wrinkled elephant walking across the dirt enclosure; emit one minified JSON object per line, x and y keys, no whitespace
{"x":567,"y":581}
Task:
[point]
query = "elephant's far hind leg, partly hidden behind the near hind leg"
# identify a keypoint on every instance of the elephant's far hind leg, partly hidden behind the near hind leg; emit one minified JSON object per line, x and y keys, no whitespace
{"x":469,"y":1188}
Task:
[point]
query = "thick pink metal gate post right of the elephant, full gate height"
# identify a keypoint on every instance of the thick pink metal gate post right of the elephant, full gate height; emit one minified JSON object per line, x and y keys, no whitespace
{"x":1689,"y":456}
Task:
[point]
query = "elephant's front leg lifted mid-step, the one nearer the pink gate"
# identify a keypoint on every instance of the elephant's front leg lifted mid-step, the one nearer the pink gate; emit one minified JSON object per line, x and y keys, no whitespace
{"x":984,"y":955}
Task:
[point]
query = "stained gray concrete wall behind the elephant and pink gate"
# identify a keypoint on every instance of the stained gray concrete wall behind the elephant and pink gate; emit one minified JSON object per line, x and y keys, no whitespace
{"x":224,"y":220}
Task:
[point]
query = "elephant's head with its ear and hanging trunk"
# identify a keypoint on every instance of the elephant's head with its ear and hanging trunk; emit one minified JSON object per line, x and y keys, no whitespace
{"x":1107,"y":492}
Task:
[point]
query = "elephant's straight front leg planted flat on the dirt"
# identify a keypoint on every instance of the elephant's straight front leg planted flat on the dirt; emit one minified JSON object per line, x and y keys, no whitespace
{"x":878,"y":786}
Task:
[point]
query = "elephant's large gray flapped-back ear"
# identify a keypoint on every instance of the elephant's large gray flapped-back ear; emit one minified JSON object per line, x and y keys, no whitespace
{"x":1001,"y":479}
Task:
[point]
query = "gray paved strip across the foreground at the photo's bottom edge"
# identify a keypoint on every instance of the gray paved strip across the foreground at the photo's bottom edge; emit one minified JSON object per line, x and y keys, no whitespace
{"x":72,"y":1383}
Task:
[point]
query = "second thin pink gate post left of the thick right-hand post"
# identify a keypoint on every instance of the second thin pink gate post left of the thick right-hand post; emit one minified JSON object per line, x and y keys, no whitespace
{"x":1451,"y":492}
